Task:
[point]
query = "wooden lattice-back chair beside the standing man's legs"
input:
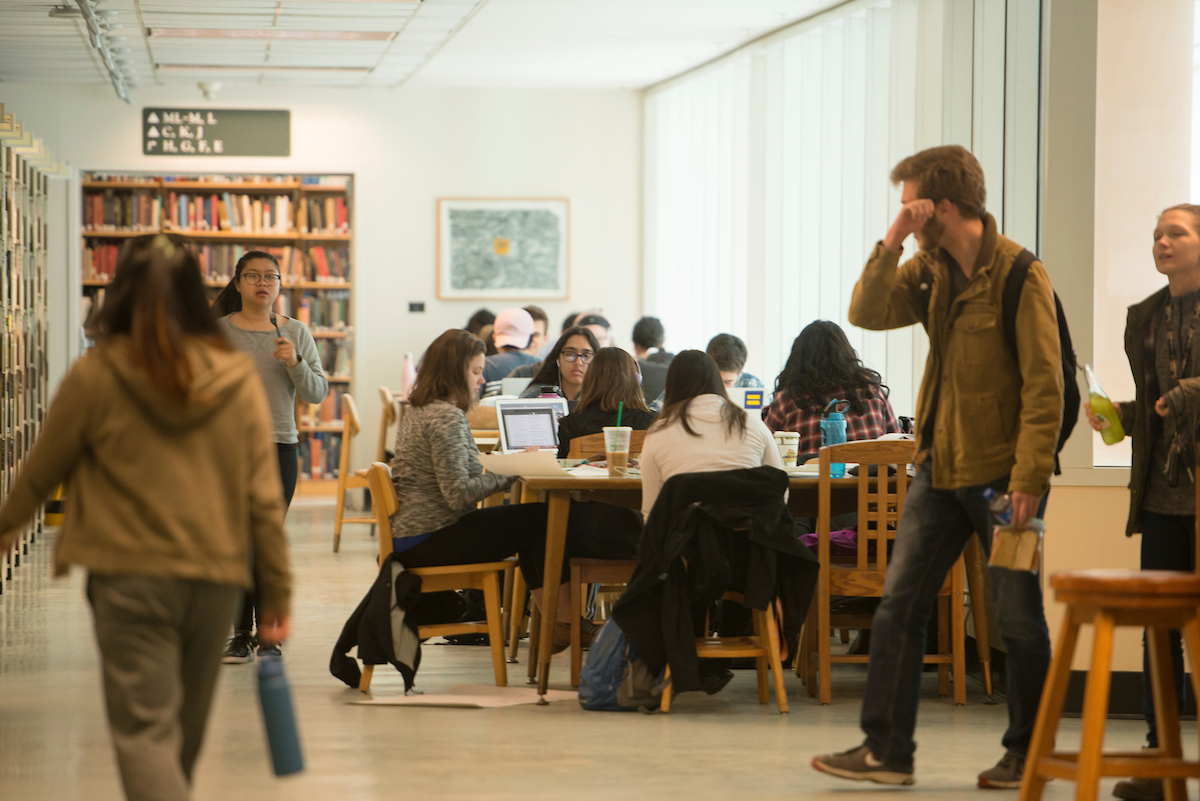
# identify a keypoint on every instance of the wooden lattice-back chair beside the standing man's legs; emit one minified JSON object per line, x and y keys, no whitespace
{"x":880,"y":505}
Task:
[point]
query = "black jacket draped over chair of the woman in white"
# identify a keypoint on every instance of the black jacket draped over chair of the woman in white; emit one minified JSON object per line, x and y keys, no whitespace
{"x":711,"y":533}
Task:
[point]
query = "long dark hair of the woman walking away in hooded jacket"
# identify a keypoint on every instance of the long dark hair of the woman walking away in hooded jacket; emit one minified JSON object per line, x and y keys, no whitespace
{"x":158,"y":300}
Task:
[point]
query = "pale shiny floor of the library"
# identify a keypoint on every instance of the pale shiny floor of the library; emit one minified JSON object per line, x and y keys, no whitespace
{"x":55,"y":742}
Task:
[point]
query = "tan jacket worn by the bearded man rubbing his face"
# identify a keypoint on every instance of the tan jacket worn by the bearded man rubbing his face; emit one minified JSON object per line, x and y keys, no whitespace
{"x":980,"y":414}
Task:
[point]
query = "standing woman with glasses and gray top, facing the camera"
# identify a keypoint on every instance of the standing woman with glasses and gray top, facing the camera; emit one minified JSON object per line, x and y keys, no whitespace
{"x":289,"y":364}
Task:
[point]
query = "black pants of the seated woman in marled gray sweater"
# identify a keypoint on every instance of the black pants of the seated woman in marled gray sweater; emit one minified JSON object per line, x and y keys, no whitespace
{"x":593,"y":532}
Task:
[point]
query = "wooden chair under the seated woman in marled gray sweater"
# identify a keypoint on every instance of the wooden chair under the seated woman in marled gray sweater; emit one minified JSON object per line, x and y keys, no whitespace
{"x":481,"y":576}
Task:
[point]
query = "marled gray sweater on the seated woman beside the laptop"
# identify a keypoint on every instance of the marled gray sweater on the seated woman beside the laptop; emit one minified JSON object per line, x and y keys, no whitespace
{"x":437,"y":472}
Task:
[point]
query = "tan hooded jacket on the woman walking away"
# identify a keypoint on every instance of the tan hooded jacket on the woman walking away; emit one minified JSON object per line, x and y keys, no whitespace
{"x":155,"y":487}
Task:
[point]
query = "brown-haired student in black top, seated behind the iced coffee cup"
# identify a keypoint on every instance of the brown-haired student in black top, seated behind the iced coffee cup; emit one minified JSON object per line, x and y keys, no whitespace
{"x":611,"y":380}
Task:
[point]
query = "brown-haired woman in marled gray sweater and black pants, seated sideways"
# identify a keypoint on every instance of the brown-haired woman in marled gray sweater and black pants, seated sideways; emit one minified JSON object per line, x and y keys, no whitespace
{"x":440,"y":481}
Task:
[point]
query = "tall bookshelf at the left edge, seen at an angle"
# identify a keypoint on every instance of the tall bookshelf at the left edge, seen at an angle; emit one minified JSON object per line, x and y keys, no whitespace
{"x":23,"y":321}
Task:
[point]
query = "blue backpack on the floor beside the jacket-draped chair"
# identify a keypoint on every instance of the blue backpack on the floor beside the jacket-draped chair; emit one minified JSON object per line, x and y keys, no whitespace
{"x":615,"y":678}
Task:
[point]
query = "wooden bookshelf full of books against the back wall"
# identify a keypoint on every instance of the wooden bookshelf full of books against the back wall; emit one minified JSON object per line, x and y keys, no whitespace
{"x":305,"y":221}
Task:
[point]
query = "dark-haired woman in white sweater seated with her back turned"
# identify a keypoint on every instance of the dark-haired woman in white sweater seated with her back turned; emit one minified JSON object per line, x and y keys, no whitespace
{"x":701,"y":430}
